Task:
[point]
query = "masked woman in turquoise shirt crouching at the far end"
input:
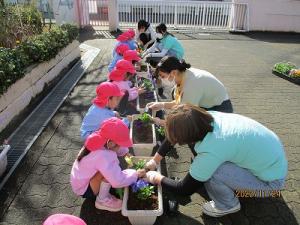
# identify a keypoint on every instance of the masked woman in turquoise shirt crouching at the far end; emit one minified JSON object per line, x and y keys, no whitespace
{"x":166,"y":43}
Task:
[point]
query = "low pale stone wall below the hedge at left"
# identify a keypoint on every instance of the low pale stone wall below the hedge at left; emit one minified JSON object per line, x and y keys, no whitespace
{"x":19,"y":95}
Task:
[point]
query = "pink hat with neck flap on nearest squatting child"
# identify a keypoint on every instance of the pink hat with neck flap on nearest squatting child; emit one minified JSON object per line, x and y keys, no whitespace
{"x":112,"y":129}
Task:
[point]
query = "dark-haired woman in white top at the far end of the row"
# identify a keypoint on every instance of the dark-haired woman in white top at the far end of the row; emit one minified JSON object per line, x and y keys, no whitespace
{"x":145,"y":34}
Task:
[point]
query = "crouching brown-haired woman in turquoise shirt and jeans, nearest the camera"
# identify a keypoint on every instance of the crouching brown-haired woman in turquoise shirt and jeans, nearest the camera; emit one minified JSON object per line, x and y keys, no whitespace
{"x":234,"y":154}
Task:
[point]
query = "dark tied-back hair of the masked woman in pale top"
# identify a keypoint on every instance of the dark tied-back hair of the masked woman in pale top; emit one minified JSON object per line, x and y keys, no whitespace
{"x":169,"y":63}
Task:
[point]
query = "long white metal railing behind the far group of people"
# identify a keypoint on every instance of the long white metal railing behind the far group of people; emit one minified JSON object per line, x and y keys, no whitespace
{"x":185,"y":15}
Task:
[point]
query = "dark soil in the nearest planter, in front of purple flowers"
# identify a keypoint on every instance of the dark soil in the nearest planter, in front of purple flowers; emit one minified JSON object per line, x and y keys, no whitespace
{"x":137,"y":204}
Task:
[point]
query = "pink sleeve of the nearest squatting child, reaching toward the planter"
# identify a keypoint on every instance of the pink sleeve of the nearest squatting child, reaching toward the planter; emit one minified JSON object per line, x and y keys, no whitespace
{"x":112,"y":172}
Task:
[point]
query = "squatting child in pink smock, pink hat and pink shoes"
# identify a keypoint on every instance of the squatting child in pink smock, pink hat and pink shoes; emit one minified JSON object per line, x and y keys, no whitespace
{"x":97,"y":168}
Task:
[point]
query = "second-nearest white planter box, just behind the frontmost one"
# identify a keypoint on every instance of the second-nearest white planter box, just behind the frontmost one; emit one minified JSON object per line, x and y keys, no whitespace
{"x":142,"y":149}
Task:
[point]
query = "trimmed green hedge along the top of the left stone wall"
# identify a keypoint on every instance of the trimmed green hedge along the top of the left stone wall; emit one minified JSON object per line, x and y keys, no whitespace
{"x":39,"y":48}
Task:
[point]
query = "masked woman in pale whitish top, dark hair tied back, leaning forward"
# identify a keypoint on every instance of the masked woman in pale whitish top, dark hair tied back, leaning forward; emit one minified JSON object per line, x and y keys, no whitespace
{"x":193,"y":86}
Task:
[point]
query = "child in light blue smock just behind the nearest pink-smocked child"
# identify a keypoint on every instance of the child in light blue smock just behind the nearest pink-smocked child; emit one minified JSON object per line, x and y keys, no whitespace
{"x":107,"y":100}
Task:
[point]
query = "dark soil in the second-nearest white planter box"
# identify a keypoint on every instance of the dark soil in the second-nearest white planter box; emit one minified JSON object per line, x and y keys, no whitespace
{"x":142,"y":133}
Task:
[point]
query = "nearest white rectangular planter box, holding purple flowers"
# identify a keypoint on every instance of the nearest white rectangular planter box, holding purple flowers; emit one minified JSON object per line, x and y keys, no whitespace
{"x":143,"y":217}
